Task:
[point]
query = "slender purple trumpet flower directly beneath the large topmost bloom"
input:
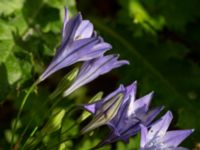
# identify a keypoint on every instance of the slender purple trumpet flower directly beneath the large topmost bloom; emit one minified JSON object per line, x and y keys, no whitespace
{"x":91,"y":69}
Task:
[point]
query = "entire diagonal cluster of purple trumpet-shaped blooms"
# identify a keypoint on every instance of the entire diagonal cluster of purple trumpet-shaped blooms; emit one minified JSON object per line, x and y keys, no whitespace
{"x":120,"y":110}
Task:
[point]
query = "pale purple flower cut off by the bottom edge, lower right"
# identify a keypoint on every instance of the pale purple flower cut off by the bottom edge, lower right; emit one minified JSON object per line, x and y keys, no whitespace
{"x":158,"y":138}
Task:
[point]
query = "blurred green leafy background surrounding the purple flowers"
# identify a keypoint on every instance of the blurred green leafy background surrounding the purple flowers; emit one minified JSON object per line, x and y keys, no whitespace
{"x":159,"y":37}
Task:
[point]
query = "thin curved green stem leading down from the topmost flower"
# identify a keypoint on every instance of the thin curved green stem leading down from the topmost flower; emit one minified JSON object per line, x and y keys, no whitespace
{"x":20,"y":110}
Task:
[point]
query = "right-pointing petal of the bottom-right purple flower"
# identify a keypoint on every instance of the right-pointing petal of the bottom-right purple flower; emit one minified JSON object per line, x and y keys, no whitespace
{"x":174,"y":138}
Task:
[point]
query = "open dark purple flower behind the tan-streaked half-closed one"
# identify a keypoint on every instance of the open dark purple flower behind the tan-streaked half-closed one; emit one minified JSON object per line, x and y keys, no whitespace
{"x":130,"y":115}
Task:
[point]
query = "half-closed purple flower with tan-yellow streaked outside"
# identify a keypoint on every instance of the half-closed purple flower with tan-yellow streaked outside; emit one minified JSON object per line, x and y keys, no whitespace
{"x":105,"y":110}
